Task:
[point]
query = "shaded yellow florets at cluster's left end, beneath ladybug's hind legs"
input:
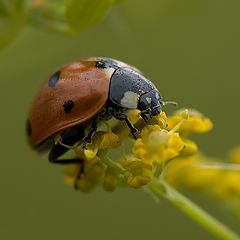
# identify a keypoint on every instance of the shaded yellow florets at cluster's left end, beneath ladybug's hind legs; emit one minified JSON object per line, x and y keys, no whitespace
{"x":94,"y":171}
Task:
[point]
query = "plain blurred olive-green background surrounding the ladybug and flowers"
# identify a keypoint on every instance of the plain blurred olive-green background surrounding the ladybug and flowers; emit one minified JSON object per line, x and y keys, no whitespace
{"x":189,"y":49}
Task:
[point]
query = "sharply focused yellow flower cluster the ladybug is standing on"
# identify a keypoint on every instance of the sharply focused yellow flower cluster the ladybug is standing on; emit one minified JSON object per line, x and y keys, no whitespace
{"x":160,"y":140}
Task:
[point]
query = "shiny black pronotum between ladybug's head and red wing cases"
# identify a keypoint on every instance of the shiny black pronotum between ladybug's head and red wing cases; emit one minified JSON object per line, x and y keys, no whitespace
{"x":126,"y":79}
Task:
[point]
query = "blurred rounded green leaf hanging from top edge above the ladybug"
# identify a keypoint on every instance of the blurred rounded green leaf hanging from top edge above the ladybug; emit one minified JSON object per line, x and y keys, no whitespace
{"x":81,"y":14}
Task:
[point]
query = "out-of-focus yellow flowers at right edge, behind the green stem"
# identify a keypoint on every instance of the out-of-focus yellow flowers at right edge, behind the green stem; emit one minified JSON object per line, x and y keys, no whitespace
{"x":198,"y":172}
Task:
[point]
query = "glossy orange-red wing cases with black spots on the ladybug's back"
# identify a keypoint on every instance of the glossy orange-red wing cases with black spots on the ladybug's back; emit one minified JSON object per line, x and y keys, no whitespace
{"x":80,"y":83}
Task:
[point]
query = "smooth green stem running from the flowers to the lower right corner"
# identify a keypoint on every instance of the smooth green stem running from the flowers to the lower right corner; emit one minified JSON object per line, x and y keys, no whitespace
{"x":163,"y":189}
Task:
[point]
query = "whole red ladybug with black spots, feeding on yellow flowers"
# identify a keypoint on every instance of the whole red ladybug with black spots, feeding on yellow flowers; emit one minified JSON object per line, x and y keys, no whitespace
{"x":77,"y":96}
